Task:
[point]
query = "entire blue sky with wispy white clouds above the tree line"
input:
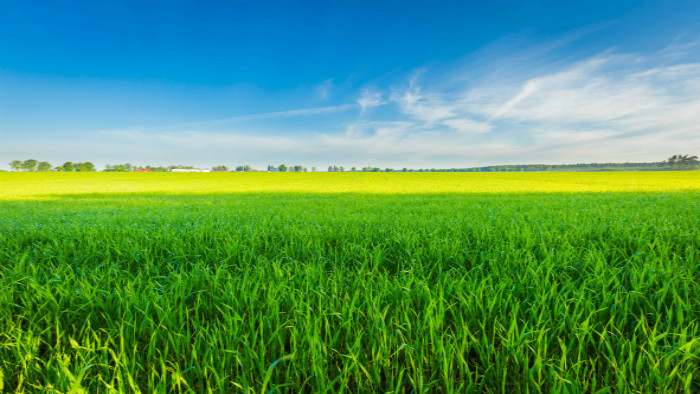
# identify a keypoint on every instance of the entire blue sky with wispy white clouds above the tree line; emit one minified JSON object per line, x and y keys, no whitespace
{"x":399,"y":84}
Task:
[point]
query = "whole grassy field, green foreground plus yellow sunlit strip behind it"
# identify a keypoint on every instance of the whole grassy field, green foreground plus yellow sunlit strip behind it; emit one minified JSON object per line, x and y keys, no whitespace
{"x":355,"y":282}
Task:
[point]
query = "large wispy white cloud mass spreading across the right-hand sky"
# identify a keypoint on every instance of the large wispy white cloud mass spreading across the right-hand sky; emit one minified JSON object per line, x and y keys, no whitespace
{"x":611,"y":106}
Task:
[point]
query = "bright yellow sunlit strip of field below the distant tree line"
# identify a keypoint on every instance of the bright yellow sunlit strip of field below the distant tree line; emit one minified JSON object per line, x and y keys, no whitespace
{"x":20,"y":186}
